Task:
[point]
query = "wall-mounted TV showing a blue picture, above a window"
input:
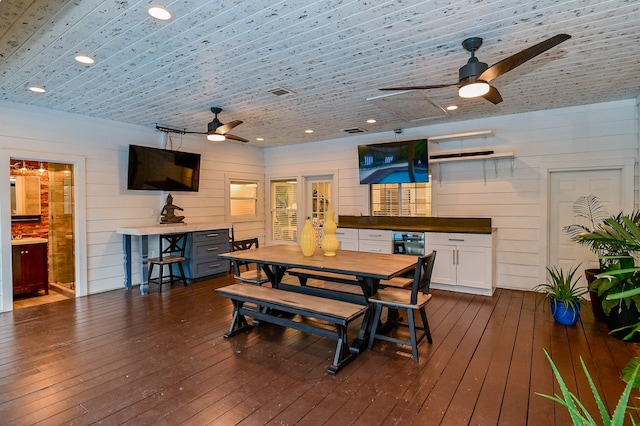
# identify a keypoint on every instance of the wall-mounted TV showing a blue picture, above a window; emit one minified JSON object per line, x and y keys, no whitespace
{"x":394,"y":162}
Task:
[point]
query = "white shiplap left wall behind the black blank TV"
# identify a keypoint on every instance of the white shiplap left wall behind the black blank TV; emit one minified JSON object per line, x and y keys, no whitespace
{"x":103,"y":145}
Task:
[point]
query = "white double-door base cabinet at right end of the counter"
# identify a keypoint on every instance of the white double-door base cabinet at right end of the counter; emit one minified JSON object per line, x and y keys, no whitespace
{"x":465,"y":262}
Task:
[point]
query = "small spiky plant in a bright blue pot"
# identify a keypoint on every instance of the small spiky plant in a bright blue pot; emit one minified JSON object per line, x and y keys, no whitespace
{"x":564,"y":295}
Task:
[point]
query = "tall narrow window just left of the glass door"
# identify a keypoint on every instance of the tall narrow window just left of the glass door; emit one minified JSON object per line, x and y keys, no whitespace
{"x":284,"y":210}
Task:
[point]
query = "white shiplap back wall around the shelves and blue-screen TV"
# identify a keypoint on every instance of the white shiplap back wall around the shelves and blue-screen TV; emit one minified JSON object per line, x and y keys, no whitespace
{"x":514,"y":199}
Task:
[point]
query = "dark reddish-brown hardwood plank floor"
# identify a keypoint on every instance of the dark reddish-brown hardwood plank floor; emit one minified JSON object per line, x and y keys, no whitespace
{"x":119,"y":357}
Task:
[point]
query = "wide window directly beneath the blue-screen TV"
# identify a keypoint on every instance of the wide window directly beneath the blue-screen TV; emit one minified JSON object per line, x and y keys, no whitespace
{"x":401,"y":199}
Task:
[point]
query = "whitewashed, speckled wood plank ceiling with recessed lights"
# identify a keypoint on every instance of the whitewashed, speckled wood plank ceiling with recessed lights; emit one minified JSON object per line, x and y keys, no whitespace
{"x":333,"y":54}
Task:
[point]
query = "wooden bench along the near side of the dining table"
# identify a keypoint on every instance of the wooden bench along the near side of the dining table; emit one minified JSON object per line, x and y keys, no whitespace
{"x":268,"y":299}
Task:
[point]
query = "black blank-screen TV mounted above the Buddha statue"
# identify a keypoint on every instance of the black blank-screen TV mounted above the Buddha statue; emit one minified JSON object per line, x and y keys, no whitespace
{"x":155,"y":169}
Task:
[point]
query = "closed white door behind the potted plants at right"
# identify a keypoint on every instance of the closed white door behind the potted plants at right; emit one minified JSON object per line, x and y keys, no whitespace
{"x":565,"y":188}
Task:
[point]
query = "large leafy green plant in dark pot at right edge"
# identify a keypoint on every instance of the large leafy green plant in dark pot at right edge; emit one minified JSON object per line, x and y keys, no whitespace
{"x":619,"y":238}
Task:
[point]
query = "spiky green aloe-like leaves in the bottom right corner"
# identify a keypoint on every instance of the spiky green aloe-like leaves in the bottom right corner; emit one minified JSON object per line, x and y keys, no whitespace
{"x":579,"y":414}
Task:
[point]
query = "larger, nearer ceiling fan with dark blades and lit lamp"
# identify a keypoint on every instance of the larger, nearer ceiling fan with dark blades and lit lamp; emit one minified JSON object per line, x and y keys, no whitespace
{"x":474,"y":77}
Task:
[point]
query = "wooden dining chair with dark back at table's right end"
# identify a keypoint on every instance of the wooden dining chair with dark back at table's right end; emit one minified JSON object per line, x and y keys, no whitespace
{"x":409,"y":301}
